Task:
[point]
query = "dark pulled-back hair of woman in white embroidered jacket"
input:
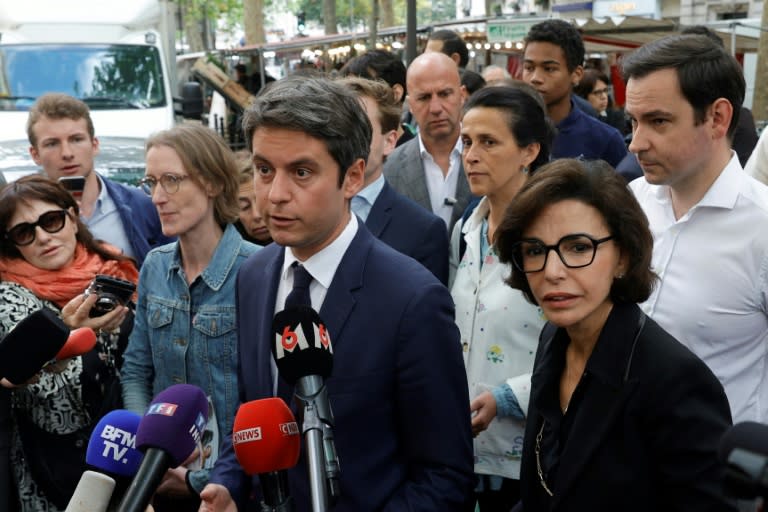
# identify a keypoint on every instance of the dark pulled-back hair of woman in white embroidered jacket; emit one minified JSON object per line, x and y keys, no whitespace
{"x":526,"y":118}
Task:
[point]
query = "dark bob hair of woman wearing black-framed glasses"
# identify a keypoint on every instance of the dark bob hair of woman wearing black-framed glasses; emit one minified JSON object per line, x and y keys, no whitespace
{"x":594,"y":183}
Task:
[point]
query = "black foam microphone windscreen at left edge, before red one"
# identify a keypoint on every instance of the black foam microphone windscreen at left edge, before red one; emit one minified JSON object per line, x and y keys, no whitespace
{"x":31,"y":344}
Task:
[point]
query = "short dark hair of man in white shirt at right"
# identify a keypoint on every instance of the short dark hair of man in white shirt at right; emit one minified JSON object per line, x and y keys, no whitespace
{"x":704,"y":69}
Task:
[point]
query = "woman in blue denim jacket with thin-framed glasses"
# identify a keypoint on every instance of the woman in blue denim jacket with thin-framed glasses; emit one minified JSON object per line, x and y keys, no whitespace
{"x":184,"y":330}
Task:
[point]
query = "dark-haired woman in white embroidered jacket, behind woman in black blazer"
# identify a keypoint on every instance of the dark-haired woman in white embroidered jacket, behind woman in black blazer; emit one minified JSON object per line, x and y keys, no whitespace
{"x":506,"y":138}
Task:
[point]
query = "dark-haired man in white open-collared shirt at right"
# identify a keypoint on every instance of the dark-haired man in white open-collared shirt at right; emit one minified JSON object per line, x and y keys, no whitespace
{"x":709,"y":218}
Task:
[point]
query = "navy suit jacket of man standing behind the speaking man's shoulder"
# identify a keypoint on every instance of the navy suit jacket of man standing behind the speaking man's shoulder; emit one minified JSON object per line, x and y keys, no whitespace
{"x":410,"y":229}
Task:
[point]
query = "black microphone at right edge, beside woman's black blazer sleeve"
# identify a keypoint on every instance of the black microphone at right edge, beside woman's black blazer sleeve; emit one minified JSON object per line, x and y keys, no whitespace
{"x":744,"y":451}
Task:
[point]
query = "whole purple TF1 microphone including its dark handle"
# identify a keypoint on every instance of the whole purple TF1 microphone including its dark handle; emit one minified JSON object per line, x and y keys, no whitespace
{"x":168,"y":434}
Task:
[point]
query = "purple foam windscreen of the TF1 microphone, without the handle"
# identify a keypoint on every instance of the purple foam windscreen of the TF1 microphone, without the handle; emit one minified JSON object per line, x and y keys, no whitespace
{"x":174,"y":422}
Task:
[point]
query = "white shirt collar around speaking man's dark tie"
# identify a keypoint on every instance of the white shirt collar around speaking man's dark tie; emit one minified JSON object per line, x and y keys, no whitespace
{"x":322,"y":265}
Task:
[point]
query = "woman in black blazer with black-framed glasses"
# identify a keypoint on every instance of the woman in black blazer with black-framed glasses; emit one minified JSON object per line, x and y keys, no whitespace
{"x":622,"y":416}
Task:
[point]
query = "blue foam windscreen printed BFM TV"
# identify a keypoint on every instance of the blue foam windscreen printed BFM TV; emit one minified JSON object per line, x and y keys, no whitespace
{"x":112,"y":447}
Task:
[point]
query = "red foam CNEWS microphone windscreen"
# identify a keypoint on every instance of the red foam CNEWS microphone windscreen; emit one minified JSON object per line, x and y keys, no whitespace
{"x":265,"y":436}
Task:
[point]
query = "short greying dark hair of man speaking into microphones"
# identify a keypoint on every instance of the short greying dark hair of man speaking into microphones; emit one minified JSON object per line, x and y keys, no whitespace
{"x":321,"y":108}
